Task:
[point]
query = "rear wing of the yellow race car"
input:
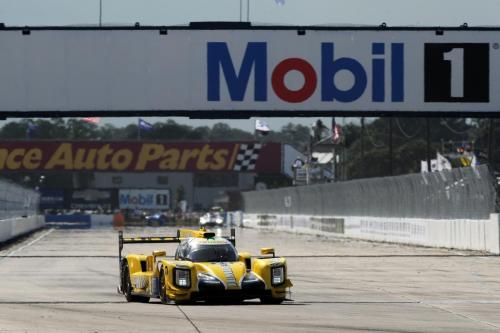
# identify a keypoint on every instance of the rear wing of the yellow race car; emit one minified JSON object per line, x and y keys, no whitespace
{"x":181,"y":234}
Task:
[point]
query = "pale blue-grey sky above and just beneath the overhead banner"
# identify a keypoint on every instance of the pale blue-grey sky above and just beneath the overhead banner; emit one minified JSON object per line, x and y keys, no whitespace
{"x":293,"y":12}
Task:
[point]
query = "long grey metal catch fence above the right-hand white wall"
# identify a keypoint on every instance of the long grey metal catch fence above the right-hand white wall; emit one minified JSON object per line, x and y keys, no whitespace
{"x":467,"y":193}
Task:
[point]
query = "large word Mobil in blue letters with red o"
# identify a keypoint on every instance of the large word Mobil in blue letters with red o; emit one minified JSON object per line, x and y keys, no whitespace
{"x":255,"y":61}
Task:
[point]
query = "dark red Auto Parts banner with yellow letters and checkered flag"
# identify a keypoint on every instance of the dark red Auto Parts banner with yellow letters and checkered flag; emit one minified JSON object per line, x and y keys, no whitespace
{"x":139,"y":157}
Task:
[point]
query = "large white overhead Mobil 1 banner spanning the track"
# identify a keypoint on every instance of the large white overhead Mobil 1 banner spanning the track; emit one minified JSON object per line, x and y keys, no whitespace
{"x":251,"y":70}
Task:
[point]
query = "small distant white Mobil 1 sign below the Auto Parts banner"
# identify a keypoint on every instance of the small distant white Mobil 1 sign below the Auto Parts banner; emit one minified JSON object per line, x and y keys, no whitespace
{"x":144,"y":199}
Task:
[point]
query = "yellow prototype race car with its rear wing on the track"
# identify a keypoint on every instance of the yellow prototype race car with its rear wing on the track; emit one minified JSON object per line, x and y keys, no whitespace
{"x":205,"y":268}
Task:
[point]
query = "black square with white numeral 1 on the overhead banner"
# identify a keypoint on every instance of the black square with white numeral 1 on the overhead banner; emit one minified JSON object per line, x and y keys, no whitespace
{"x":457,"y":72}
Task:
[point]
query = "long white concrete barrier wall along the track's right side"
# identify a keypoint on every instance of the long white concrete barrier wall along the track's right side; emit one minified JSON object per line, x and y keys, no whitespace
{"x":481,"y":235}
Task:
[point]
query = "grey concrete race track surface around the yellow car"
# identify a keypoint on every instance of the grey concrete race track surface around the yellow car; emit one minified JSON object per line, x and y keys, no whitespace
{"x":65,"y":281}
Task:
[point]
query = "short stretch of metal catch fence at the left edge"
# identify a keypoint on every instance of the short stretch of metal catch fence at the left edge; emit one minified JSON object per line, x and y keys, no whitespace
{"x":17,"y":201}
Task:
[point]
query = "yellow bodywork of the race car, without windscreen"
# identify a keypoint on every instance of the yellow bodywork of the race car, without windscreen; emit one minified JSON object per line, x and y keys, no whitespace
{"x":154,"y":276}
